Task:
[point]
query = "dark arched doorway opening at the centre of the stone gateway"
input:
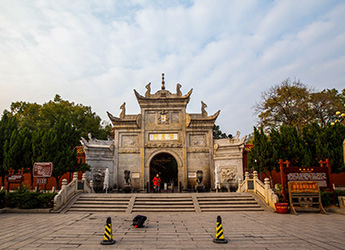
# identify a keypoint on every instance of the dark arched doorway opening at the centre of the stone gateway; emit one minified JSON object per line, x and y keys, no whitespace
{"x":166,"y":166}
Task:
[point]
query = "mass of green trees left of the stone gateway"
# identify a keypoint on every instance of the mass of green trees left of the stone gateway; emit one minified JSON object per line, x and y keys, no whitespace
{"x":31,"y":133}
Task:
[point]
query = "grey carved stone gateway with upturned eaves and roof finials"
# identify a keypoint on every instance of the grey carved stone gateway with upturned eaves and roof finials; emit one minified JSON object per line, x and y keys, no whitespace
{"x":163,"y":127}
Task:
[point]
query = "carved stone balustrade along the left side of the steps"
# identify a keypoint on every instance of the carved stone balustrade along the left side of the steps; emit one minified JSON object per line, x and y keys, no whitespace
{"x":69,"y":190}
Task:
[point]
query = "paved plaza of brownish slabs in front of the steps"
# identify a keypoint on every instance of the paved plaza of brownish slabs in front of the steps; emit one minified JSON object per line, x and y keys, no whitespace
{"x":250,"y":230}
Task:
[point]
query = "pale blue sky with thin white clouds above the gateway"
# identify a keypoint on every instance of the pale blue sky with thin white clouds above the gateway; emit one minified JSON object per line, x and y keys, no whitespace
{"x":229,"y":52}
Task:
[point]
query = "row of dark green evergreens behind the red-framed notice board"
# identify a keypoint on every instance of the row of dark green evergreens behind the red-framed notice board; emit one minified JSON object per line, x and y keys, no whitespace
{"x":301,"y":148}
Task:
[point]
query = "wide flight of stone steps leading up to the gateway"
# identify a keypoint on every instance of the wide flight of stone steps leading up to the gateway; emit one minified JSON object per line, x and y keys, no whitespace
{"x":165,"y":202}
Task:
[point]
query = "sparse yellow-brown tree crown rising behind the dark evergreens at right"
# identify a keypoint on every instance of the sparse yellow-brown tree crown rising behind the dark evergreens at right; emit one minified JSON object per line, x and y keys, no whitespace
{"x":293,"y":103}
